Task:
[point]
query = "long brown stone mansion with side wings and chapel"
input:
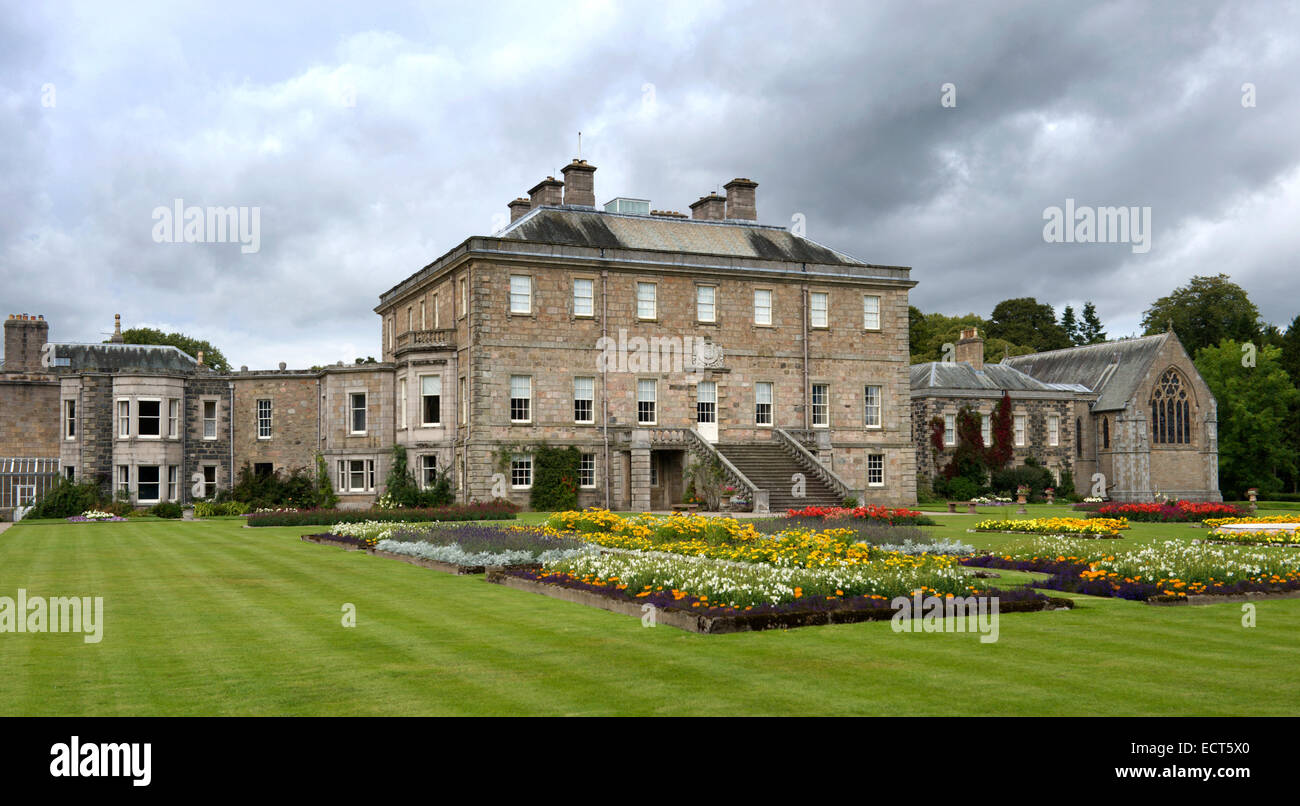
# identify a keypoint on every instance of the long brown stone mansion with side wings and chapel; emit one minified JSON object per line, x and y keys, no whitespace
{"x":652,"y":341}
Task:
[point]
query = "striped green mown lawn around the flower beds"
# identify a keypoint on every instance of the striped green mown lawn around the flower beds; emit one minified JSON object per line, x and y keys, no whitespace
{"x":215,"y":619}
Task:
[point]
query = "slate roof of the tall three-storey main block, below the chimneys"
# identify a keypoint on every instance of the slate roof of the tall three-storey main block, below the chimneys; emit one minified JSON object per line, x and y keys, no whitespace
{"x":587,"y":227}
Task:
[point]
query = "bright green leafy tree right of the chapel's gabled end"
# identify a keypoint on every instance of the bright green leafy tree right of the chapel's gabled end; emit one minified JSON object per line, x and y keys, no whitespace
{"x":1255,"y":408}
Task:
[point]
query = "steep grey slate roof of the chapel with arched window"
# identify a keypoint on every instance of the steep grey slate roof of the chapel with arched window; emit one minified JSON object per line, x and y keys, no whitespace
{"x":1113,"y":370}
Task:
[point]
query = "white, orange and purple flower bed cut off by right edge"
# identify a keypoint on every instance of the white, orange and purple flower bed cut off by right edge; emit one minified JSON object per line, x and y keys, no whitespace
{"x":1172,"y":570}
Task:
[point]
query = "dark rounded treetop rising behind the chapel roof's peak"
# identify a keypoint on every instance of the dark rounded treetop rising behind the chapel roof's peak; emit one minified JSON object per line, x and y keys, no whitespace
{"x":1204,"y":313}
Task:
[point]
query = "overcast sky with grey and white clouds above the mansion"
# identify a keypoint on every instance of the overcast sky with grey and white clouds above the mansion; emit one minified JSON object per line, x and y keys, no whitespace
{"x":376,"y":140}
